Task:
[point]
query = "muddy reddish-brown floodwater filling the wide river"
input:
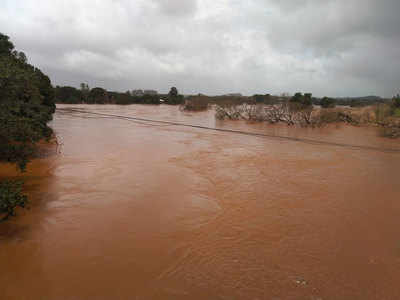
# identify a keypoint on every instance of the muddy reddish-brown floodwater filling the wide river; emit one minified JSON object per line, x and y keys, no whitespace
{"x":135,"y":210}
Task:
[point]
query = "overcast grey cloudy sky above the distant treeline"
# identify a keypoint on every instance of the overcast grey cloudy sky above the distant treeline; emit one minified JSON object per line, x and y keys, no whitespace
{"x":327,"y":47}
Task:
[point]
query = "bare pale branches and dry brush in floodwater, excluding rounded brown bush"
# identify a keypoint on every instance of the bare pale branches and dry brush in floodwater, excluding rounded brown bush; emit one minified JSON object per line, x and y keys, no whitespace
{"x":299,"y":110}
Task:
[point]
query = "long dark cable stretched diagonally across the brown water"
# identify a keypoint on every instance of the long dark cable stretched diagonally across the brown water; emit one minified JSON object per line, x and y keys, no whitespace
{"x":264,"y":135}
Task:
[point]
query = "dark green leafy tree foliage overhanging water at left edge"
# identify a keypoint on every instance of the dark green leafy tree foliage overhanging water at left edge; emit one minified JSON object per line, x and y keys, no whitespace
{"x":26,"y":106}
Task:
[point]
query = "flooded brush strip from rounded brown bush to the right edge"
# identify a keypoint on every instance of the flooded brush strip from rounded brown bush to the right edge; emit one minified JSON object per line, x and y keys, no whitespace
{"x":303,"y":110}
